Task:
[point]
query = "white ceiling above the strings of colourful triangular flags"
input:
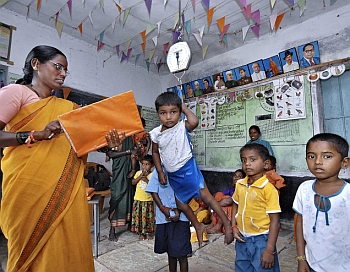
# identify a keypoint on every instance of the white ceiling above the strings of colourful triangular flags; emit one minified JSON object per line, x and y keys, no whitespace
{"x":97,"y":19}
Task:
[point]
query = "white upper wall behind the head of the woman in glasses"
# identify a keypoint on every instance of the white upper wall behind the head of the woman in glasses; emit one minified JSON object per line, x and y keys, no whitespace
{"x":85,"y":63}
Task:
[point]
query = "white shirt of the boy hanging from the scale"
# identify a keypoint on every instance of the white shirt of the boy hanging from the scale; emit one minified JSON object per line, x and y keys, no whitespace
{"x":173,"y":145}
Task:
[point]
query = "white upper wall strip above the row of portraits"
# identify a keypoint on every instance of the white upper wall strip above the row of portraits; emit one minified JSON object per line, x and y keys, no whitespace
{"x":331,"y":29}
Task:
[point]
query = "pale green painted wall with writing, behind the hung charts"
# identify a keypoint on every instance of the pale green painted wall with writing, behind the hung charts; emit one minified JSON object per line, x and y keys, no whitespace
{"x":218,"y":149}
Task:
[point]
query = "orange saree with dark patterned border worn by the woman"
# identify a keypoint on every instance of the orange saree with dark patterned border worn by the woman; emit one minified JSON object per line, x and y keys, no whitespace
{"x":44,"y":213}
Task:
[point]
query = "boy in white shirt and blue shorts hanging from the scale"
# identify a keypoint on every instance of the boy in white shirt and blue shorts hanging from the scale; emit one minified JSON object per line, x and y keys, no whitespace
{"x":171,"y":146}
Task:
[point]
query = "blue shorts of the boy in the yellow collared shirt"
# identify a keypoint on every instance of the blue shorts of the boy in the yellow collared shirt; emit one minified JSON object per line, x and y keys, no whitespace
{"x":248,"y":255}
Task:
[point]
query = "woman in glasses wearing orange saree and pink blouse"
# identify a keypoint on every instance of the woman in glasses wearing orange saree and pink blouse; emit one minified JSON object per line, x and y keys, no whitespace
{"x":44,"y":213}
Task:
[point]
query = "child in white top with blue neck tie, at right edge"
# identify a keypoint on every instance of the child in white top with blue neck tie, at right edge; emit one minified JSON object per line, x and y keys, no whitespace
{"x":323,"y":207}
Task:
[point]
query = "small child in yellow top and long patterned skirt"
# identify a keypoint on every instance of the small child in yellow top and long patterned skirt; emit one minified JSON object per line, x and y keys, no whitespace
{"x":143,"y":209}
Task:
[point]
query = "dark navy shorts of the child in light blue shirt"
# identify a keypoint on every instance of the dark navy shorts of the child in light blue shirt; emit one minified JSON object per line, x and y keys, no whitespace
{"x":173,"y":238}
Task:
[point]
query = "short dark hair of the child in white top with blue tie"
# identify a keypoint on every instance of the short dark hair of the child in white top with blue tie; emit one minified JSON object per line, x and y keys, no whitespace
{"x":337,"y":141}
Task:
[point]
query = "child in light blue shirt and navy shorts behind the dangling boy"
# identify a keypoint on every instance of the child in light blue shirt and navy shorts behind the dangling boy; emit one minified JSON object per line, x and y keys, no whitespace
{"x":173,"y":228}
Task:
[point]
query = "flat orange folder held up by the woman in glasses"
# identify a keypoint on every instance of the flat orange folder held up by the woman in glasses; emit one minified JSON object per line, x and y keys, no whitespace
{"x":87,"y":127}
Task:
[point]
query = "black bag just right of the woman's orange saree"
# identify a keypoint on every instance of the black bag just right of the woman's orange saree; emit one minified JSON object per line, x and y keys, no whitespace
{"x":98,"y":177}
